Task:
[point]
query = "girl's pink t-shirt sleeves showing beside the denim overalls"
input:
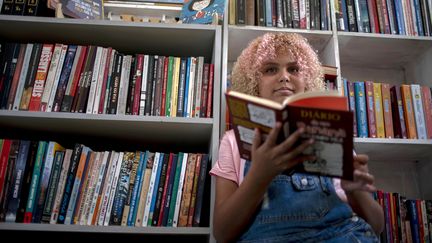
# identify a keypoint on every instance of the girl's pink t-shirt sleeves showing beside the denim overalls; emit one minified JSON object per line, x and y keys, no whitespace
{"x":230,"y":166}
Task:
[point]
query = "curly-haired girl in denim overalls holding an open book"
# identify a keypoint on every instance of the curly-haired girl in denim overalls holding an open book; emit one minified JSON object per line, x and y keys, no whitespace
{"x":254,"y":201}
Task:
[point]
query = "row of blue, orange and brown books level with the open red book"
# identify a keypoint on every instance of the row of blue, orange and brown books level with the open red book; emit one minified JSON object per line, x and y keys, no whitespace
{"x":382,"y":110}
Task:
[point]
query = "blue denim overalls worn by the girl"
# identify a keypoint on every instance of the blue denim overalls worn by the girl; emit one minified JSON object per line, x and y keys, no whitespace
{"x":305,"y":208}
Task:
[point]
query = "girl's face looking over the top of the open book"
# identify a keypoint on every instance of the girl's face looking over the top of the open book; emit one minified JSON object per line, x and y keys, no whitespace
{"x":280,"y":78}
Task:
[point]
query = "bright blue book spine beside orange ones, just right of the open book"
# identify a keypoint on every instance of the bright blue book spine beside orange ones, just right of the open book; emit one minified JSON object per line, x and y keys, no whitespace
{"x":362,"y":126}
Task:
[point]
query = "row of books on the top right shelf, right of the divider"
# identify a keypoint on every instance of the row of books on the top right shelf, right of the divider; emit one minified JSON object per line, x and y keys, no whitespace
{"x":399,"y":17}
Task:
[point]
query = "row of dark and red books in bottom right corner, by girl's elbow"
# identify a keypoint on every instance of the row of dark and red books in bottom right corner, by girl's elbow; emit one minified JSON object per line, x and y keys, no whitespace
{"x":406,"y":220}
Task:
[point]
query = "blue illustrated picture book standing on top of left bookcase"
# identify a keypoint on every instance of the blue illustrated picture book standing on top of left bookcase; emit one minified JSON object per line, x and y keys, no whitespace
{"x":202,"y":11}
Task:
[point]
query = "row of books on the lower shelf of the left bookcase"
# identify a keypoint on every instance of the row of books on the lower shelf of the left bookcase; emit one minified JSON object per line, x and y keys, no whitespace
{"x":42,"y":182}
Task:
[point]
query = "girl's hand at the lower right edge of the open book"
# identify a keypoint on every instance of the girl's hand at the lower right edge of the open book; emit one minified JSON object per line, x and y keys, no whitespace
{"x":363,"y":181}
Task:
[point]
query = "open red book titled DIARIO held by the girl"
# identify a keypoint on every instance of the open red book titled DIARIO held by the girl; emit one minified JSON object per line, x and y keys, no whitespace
{"x":324,"y":115}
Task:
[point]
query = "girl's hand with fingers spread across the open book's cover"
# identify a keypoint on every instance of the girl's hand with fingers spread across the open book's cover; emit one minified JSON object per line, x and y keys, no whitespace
{"x":270,"y":159}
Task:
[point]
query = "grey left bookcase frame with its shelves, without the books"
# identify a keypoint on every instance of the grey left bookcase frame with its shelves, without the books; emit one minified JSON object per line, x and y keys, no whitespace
{"x":118,"y":132}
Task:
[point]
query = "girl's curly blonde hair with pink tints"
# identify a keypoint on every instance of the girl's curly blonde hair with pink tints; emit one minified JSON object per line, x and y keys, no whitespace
{"x":246,"y":75}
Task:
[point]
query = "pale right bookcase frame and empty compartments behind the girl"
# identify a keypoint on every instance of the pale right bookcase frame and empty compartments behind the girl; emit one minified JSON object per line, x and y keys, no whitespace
{"x":399,"y":165}
